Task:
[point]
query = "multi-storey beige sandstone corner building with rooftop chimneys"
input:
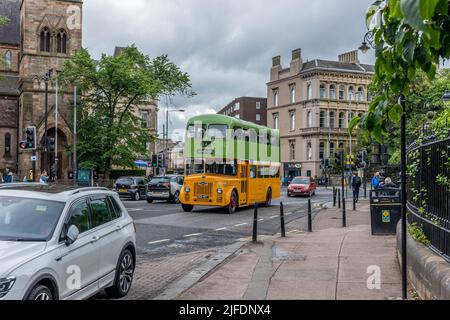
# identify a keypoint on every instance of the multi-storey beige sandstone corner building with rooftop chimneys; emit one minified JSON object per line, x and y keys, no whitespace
{"x":312,"y":103}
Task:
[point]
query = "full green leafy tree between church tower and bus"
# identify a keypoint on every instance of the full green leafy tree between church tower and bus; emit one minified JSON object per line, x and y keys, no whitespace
{"x":109,"y":132}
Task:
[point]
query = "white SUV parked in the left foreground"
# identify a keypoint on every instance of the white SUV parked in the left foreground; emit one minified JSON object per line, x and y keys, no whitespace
{"x":62,"y":243}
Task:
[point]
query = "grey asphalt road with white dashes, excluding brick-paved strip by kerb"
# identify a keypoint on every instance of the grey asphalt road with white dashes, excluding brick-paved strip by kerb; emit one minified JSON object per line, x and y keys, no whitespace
{"x":164,"y":229}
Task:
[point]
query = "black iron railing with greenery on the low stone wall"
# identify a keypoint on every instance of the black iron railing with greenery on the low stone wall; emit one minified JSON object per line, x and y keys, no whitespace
{"x":429,"y":191}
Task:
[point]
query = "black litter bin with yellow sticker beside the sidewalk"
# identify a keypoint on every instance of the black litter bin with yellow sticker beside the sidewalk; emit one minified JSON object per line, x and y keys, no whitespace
{"x":385,"y":211}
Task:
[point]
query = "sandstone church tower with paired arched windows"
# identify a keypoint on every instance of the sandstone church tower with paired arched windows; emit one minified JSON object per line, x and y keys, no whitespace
{"x":50,"y":33}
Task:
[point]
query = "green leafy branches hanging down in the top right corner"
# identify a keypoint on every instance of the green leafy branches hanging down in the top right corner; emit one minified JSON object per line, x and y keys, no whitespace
{"x":409,"y":35}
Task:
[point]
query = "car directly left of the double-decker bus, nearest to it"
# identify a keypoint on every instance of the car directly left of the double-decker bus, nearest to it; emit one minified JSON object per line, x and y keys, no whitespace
{"x":165,"y":188}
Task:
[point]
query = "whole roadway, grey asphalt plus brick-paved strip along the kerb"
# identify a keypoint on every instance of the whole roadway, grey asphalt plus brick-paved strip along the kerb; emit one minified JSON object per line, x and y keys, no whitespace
{"x":173,"y":245}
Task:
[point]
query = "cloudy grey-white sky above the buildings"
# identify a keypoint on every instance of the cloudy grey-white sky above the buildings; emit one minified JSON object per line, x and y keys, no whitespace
{"x":226,"y":46}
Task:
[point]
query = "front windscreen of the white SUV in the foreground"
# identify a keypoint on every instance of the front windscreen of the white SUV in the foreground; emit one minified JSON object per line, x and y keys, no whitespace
{"x":23,"y":219}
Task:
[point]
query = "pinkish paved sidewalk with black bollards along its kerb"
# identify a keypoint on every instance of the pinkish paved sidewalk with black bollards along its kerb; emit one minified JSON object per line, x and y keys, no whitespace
{"x":331,"y":263}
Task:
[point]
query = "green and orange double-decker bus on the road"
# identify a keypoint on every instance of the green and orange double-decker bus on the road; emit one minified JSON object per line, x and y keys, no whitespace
{"x":229,"y":163}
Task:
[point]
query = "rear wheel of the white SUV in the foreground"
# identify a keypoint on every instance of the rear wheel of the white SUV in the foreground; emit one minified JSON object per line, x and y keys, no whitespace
{"x":124,"y":276}
